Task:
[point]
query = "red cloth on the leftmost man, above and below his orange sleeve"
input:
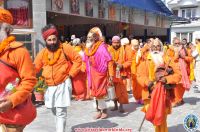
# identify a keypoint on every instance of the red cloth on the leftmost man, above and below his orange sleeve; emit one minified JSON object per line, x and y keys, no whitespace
{"x":22,"y":114}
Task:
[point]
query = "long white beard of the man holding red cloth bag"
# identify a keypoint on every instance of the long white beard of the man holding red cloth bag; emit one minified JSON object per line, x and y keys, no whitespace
{"x":157,"y":58}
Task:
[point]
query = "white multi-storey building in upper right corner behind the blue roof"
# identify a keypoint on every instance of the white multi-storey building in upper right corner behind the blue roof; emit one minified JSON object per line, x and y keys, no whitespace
{"x":189,"y":9}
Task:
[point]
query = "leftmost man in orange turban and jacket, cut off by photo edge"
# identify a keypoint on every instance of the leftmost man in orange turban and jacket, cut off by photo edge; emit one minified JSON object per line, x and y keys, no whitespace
{"x":17,"y":79}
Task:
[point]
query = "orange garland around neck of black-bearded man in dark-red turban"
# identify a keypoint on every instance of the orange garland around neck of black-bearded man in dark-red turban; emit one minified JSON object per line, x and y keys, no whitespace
{"x":54,"y":58}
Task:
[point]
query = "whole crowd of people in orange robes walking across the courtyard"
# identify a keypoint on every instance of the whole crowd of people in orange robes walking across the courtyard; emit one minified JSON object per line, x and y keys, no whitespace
{"x":158,"y":75}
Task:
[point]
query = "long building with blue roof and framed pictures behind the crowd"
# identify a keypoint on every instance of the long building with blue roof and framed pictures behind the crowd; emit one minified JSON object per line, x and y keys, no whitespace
{"x":114,"y":17}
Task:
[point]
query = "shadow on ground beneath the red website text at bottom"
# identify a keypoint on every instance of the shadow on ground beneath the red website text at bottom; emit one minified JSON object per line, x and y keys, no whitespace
{"x":97,"y":124}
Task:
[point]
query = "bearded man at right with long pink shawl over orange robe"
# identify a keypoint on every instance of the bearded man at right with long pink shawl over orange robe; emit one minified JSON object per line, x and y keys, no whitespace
{"x":178,"y":52}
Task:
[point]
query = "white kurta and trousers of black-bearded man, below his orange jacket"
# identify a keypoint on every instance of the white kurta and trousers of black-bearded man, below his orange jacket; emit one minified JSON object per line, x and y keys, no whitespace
{"x":58,"y":98}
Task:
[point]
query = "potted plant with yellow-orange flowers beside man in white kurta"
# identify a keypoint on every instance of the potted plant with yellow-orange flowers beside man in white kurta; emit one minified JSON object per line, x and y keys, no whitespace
{"x":39,"y":89}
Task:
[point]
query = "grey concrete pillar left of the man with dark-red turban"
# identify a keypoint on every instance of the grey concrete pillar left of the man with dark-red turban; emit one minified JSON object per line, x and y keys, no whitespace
{"x":39,"y":21}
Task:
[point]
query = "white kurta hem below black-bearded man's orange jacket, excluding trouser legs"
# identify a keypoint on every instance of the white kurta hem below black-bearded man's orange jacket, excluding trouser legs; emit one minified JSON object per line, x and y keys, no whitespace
{"x":59,"y":96}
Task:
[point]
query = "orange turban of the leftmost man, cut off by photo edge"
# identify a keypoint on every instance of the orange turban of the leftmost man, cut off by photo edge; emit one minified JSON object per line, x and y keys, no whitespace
{"x":5,"y":16}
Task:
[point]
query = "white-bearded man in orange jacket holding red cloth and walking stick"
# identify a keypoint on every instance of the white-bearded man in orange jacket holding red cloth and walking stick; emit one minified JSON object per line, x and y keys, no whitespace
{"x":151,"y":79}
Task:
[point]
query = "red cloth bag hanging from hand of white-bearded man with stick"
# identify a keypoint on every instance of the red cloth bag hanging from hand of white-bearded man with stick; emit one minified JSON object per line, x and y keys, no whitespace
{"x":156,"y":111}
